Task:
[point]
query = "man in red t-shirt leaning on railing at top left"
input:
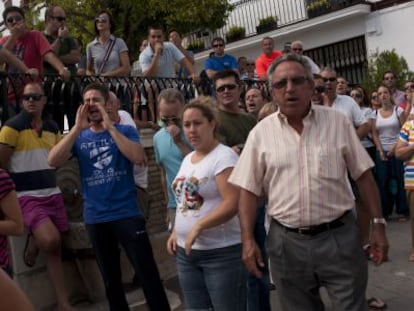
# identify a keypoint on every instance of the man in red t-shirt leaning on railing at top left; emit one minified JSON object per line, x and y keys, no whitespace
{"x":31,"y":47}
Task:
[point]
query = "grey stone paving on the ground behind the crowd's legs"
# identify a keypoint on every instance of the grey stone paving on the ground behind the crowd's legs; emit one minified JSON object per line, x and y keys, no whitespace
{"x":393,"y":281}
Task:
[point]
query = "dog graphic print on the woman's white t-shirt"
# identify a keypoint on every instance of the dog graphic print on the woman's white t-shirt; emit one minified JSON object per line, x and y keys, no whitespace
{"x":187,"y":193}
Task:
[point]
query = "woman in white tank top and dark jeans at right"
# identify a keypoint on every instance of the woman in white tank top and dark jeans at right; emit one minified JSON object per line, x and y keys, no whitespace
{"x":389,"y":171}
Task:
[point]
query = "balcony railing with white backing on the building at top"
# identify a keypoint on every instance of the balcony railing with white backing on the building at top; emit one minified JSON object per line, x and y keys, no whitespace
{"x":249,"y":13}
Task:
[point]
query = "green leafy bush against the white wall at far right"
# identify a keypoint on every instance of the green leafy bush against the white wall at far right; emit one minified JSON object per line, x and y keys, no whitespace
{"x":379,"y":63}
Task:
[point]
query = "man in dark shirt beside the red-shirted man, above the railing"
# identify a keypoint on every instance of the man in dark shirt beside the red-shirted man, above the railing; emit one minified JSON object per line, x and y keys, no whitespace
{"x":64,"y":46}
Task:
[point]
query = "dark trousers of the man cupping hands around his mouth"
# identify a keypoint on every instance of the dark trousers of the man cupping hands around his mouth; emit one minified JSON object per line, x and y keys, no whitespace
{"x":131,"y":234}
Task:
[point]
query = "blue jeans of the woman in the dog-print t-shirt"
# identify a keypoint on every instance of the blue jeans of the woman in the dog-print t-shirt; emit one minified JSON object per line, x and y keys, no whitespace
{"x":213,"y":279}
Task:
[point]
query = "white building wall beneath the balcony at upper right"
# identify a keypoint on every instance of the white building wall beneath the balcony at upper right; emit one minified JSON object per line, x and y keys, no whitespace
{"x":386,"y":29}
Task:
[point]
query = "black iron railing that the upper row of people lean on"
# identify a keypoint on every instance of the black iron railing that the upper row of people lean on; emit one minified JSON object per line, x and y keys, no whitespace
{"x":64,"y":98}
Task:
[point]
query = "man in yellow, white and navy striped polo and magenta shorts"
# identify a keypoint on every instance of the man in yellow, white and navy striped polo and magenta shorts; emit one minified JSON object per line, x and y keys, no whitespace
{"x":25,"y":142}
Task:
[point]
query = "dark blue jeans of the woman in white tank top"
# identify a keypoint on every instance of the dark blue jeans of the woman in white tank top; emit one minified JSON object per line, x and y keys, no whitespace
{"x":385,"y":171}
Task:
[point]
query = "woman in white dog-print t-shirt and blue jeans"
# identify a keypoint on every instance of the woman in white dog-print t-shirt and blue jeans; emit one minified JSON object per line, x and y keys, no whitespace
{"x":206,"y":237}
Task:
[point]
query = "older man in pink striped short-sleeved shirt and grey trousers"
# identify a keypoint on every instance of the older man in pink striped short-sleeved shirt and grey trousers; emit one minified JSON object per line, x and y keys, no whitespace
{"x":300,"y":156}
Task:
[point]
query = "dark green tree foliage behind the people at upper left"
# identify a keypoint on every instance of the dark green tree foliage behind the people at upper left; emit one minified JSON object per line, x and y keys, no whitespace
{"x":133,"y":17}
